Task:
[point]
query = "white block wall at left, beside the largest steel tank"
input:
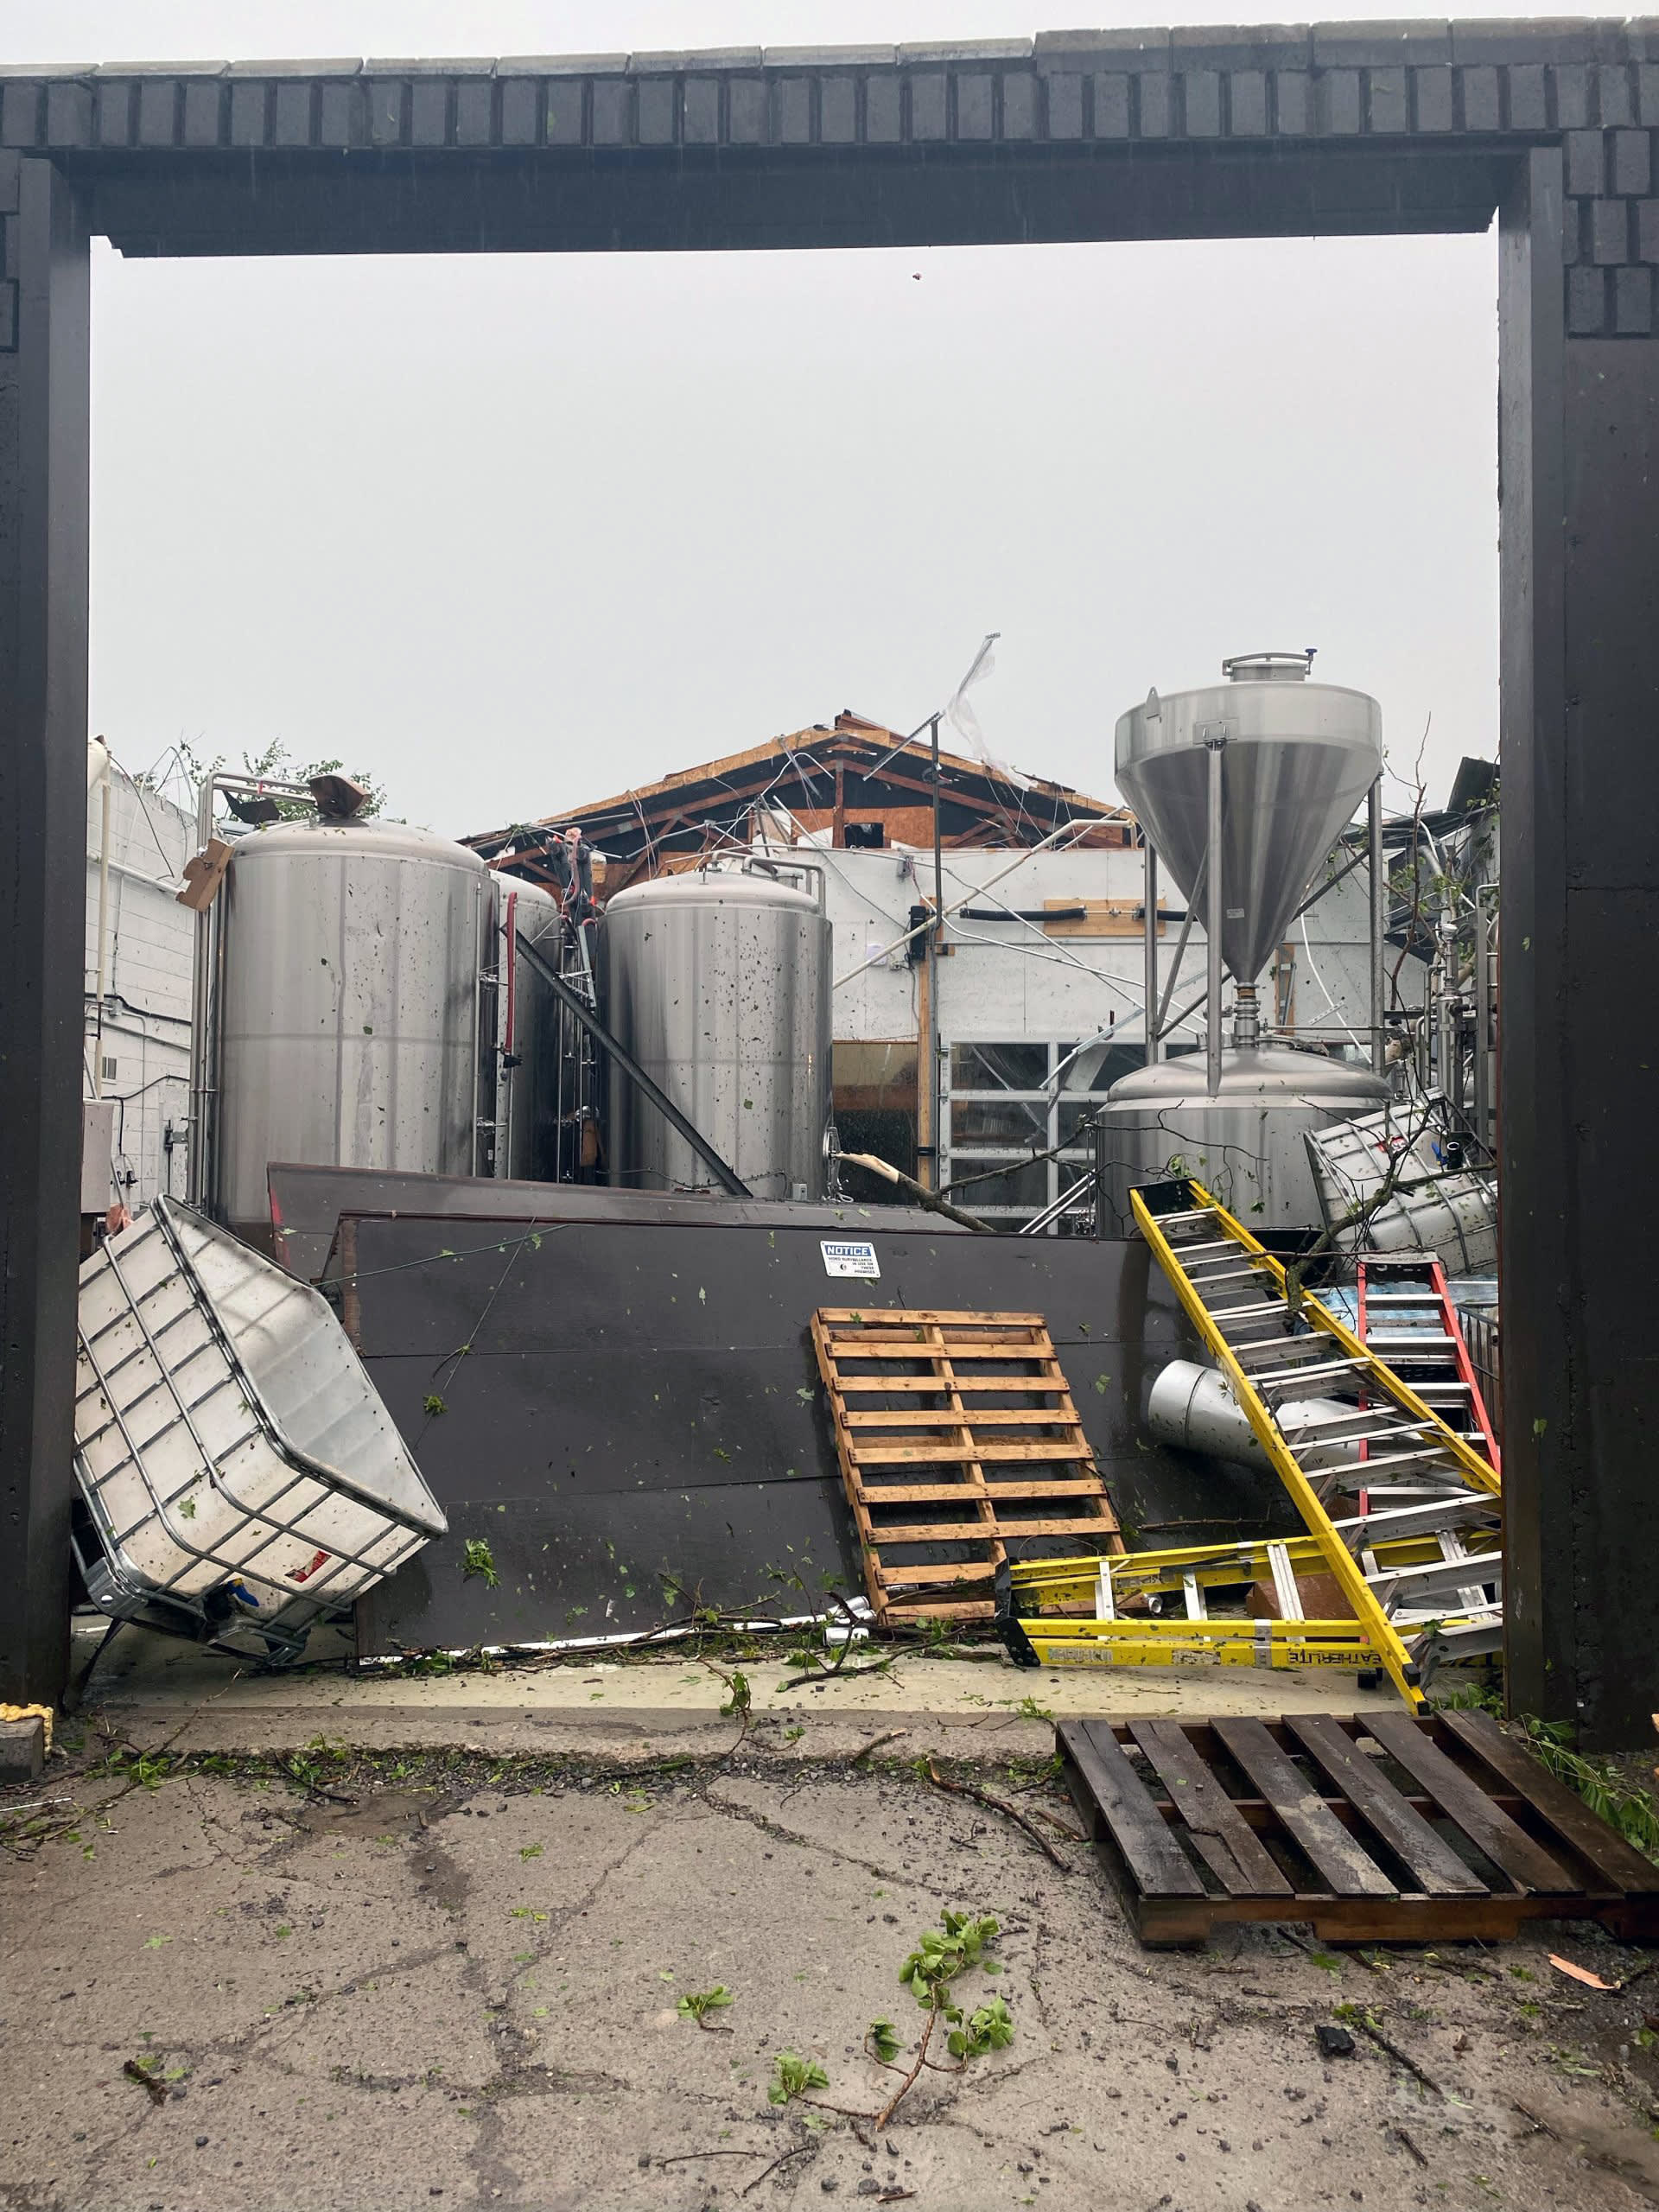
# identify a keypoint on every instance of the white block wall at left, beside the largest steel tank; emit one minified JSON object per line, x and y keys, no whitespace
{"x":145,"y":1025}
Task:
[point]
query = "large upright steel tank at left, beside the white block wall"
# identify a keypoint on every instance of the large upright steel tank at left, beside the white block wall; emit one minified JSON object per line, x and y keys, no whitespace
{"x":348,"y":1008}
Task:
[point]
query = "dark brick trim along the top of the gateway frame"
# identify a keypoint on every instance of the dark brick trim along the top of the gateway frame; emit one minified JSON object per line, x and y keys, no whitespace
{"x":1592,"y":87}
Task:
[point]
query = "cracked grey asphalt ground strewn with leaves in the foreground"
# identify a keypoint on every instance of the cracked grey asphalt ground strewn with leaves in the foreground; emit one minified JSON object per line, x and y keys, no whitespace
{"x":435,"y":1990}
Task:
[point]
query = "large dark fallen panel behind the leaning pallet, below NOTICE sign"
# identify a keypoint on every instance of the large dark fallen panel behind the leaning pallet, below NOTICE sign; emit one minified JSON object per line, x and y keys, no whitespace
{"x":643,"y":1404}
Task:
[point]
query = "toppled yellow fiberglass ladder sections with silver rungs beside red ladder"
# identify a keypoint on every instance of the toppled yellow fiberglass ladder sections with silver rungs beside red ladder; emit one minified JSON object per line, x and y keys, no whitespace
{"x":1419,"y":1558}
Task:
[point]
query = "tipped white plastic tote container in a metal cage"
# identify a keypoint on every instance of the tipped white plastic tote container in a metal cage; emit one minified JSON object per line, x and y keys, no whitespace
{"x":238,"y":1465}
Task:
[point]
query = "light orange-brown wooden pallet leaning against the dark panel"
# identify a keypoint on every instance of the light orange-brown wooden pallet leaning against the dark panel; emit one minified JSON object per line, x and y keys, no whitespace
{"x":957,"y":1439}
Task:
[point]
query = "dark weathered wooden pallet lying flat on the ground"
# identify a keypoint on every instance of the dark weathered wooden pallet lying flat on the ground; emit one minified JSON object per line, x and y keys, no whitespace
{"x":1379,"y":1830}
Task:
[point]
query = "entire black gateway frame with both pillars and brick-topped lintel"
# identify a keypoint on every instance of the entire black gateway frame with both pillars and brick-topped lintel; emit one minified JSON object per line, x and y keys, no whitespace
{"x":1070,"y":136}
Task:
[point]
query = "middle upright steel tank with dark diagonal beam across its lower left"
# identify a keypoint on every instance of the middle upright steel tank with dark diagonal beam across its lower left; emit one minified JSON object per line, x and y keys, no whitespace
{"x":720,"y":985}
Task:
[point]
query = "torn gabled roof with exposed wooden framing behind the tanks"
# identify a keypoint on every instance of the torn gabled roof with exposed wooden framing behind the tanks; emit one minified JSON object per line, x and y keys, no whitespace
{"x":822,"y":778}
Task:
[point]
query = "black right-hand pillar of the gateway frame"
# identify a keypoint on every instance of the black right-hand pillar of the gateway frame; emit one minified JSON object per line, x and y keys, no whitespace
{"x":1580,"y":946}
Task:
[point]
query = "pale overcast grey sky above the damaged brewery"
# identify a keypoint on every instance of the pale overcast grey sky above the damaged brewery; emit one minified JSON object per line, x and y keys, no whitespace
{"x":521,"y":532}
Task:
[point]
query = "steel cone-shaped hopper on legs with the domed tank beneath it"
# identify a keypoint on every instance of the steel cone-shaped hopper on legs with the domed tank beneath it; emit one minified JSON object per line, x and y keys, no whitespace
{"x":1242,"y":789}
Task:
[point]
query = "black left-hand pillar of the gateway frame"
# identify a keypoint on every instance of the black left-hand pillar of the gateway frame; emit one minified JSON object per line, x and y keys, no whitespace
{"x":43,"y":873}
